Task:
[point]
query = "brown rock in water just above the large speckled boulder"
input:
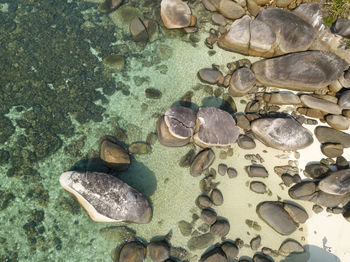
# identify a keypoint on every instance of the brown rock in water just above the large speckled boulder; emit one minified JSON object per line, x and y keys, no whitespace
{"x":114,"y":156}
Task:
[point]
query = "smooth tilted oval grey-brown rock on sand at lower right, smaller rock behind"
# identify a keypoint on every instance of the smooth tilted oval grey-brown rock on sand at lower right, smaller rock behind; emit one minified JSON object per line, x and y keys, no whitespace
{"x":273,"y":213}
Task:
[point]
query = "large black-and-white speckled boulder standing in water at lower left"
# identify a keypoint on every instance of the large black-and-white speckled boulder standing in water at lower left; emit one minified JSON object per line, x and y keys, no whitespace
{"x":107,"y":198}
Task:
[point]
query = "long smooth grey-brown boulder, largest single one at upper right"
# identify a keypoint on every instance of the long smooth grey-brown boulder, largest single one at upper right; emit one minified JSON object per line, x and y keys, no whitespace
{"x":304,"y":71}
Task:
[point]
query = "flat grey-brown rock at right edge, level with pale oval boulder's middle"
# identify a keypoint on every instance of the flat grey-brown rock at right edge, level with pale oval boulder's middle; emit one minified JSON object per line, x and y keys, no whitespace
{"x":329,"y":135}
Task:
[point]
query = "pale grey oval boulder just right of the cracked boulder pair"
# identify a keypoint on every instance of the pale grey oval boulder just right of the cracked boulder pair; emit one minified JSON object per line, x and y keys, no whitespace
{"x":282,"y":133}
